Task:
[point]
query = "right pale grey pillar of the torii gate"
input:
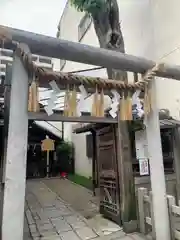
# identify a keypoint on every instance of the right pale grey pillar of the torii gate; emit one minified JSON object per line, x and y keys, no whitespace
{"x":161,"y":218}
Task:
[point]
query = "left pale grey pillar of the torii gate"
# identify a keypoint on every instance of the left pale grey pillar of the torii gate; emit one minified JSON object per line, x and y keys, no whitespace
{"x":15,"y":172}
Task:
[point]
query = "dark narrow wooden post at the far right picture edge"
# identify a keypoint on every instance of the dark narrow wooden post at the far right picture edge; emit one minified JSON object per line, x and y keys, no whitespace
{"x":176,"y":151}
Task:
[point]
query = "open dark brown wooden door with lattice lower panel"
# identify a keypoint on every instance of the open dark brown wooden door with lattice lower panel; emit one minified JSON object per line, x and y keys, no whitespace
{"x":108,"y":173}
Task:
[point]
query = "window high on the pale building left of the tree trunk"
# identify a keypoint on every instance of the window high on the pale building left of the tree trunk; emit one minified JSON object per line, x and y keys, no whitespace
{"x":84,"y":25}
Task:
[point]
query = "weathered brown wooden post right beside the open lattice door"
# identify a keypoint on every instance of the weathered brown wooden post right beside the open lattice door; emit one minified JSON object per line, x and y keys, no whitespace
{"x":127,"y":187}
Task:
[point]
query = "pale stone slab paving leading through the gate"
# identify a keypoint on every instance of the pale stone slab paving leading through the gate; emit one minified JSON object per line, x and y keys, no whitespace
{"x":51,"y":218}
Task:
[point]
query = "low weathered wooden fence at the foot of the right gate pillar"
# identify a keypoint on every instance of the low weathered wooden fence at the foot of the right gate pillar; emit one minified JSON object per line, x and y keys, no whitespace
{"x":146,"y":216}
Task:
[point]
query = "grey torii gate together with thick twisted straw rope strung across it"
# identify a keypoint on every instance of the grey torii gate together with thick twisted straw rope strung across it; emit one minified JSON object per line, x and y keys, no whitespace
{"x":14,"y":192}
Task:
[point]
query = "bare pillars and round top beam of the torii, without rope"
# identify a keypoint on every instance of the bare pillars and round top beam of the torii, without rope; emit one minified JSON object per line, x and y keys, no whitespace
{"x":72,"y":51}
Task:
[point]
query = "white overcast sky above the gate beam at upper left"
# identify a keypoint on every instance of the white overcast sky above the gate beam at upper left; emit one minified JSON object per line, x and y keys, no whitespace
{"x":39,"y":16}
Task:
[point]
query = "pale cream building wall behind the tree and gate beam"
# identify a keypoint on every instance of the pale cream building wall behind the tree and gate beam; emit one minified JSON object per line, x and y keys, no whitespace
{"x":150,"y":30}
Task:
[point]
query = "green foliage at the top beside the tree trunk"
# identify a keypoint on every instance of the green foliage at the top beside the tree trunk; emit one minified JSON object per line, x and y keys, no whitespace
{"x":89,"y":6}
